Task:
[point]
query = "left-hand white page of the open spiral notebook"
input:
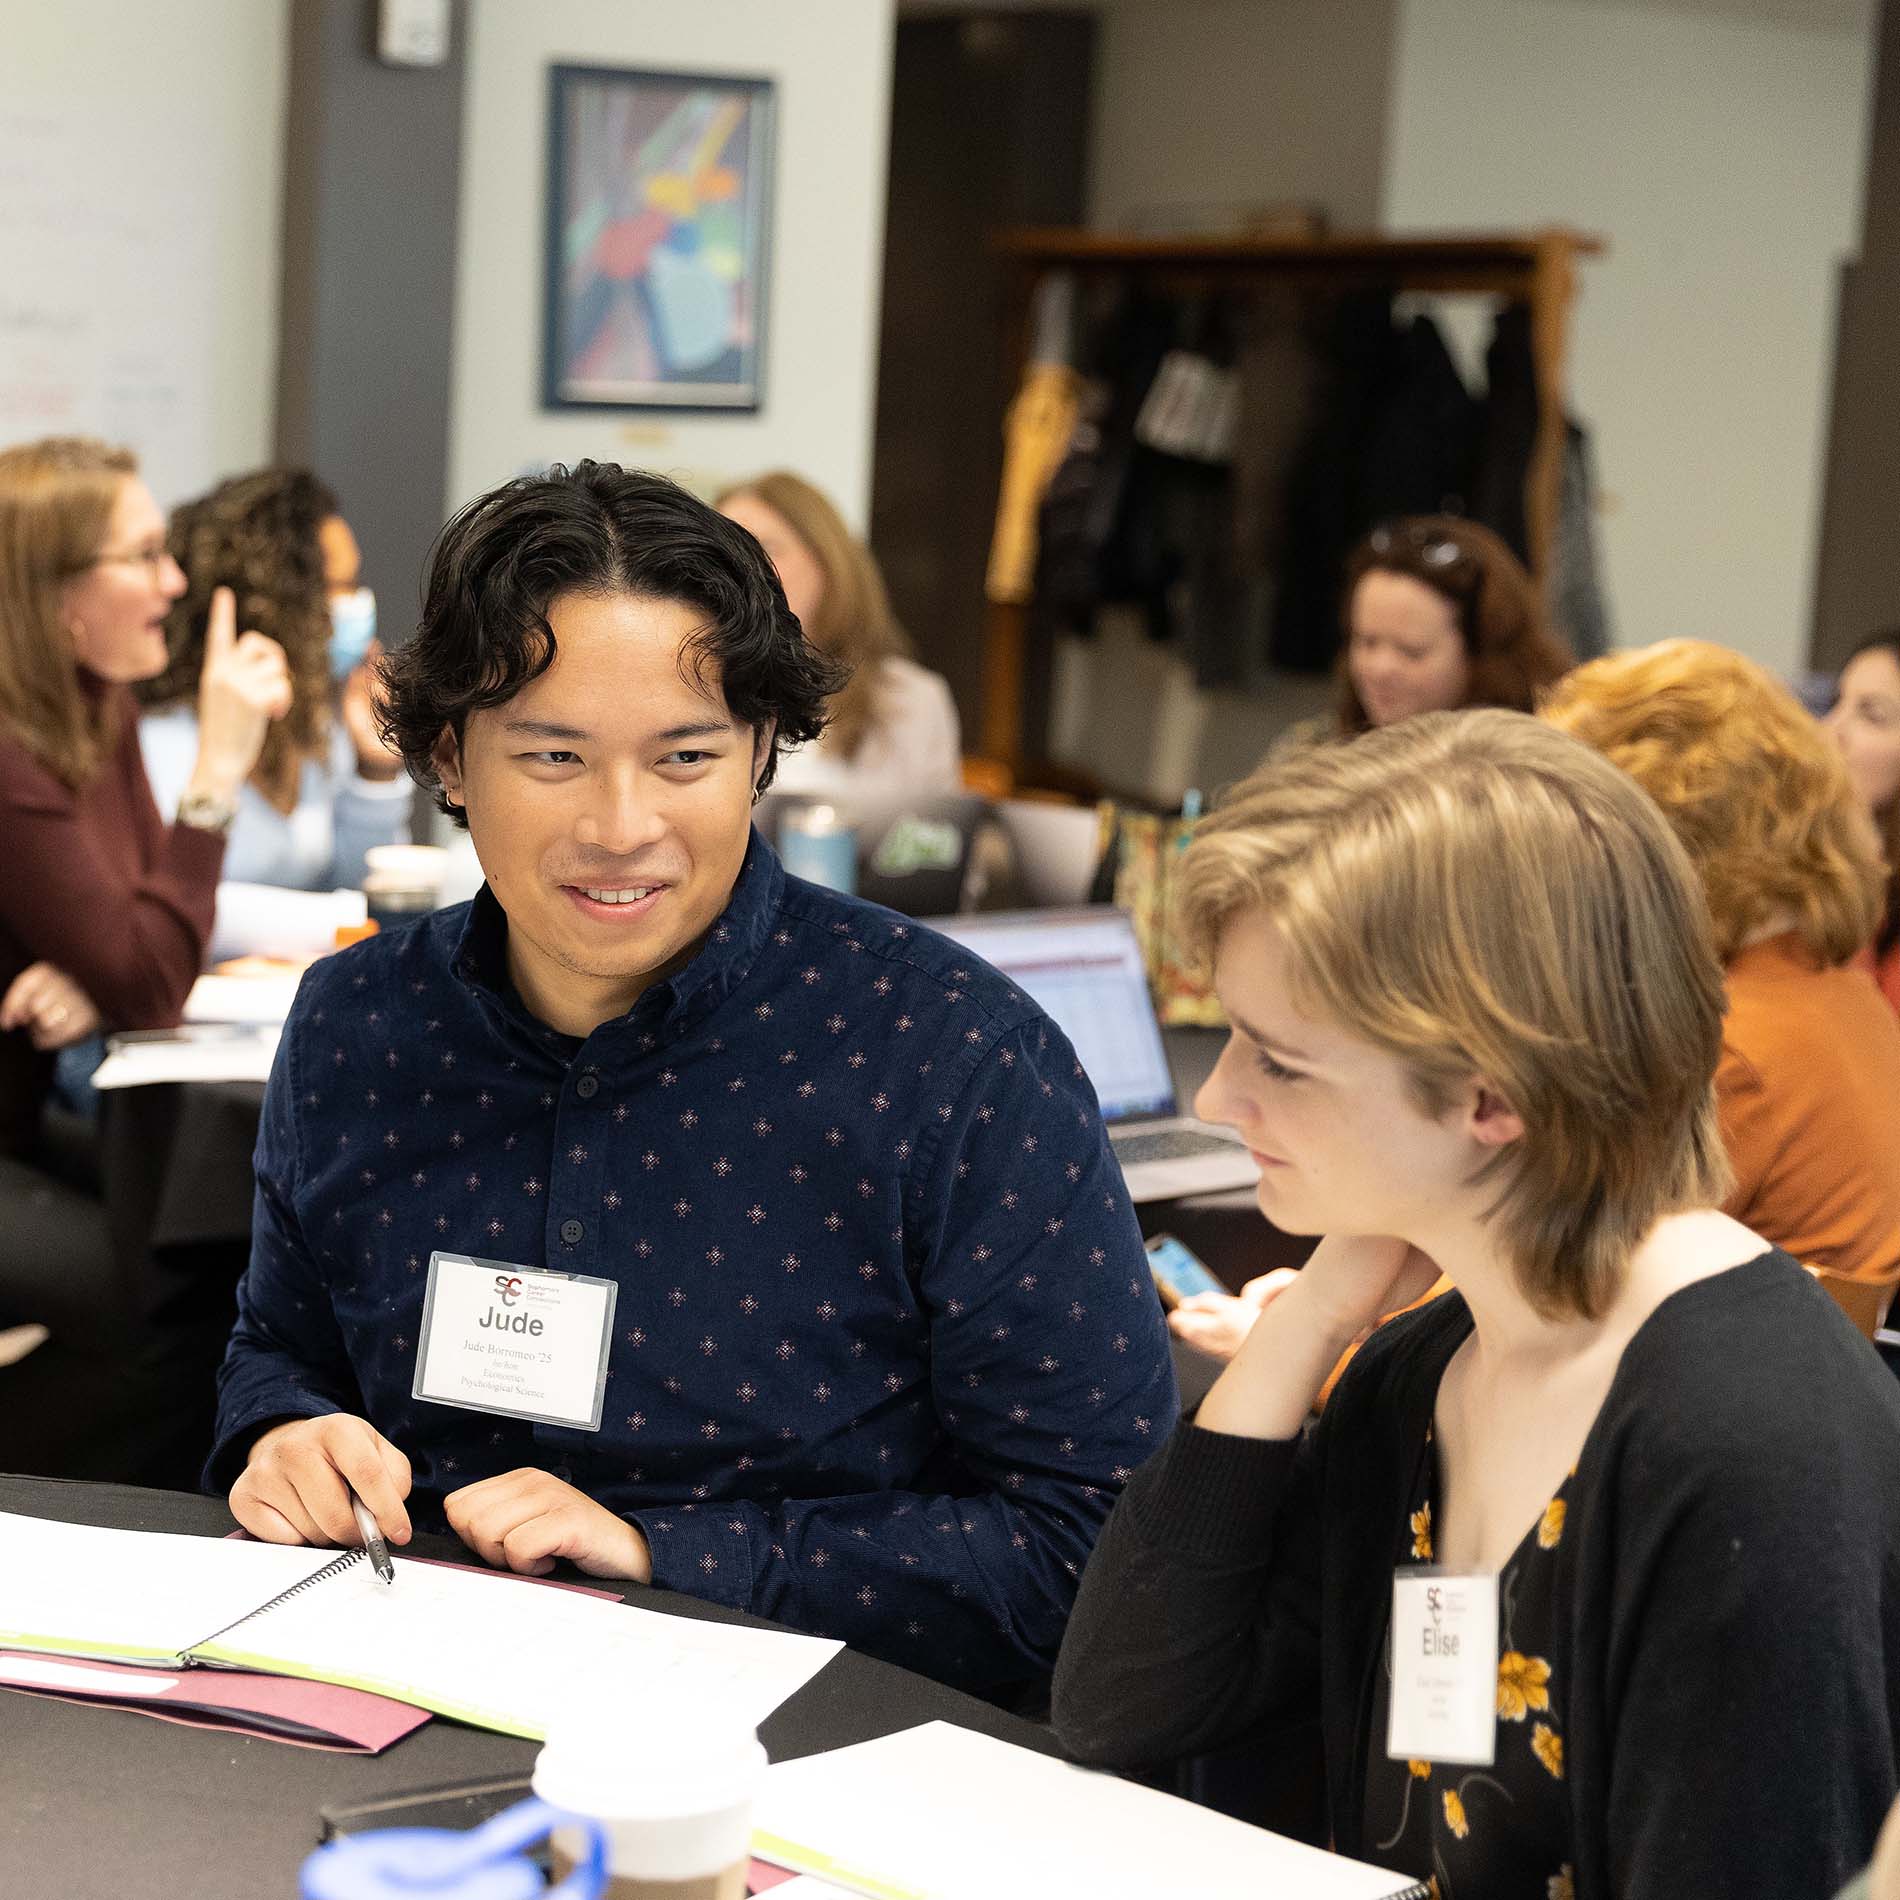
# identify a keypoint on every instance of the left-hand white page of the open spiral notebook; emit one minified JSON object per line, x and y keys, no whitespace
{"x":81,"y":1589}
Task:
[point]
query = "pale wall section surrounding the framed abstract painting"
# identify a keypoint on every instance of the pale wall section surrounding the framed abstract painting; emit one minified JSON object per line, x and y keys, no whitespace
{"x":833,"y":64}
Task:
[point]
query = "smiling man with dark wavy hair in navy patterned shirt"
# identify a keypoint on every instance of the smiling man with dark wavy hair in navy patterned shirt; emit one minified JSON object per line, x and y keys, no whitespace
{"x":664,"y":1213}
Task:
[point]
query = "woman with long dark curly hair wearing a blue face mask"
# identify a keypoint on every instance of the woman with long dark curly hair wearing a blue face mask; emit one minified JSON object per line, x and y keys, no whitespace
{"x":326,"y":788}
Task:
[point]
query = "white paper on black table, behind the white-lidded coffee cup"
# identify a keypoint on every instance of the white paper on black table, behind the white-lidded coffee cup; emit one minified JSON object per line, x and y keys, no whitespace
{"x":943,"y":1814}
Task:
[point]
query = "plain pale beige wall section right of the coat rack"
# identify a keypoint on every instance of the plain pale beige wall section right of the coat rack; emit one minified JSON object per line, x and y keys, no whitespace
{"x":1722,"y":159}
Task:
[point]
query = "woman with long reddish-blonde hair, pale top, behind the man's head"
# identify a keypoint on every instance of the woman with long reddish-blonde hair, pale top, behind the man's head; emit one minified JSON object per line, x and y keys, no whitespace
{"x":894,"y":729}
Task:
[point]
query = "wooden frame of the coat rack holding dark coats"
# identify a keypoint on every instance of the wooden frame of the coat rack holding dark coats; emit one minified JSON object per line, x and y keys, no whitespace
{"x":1532,"y":269}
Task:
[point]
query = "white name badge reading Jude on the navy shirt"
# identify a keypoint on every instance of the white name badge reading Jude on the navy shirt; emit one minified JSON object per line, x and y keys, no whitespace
{"x":516,"y":1340}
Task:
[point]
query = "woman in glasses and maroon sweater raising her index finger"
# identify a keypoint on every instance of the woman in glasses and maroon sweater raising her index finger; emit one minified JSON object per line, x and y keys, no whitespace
{"x":105,"y":911}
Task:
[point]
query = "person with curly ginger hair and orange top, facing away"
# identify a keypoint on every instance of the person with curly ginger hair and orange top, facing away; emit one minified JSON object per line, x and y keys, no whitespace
{"x":1793,"y":871}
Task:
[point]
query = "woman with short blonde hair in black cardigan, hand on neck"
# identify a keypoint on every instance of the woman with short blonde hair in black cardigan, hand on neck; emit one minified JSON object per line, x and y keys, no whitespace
{"x":1477,"y":1016}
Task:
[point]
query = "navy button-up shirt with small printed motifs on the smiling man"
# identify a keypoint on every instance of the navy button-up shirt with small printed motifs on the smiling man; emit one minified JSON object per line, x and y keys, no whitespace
{"x":886,"y":1344}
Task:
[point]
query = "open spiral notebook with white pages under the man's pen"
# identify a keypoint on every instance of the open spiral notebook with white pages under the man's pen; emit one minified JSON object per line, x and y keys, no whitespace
{"x":482,"y":1648}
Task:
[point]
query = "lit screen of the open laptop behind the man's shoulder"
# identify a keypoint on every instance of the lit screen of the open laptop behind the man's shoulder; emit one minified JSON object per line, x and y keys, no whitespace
{"x":1086,"y":970}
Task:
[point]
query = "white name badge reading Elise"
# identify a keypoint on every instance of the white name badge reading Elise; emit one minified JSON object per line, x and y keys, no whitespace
{"x":1445,"y":1667}
